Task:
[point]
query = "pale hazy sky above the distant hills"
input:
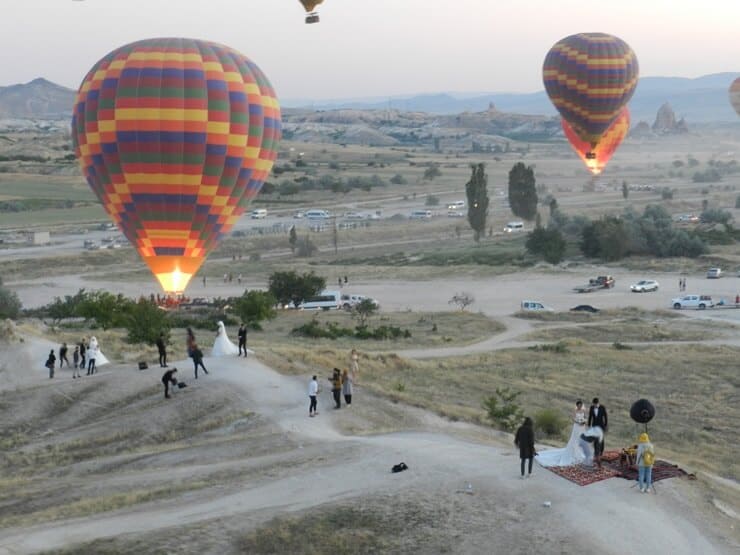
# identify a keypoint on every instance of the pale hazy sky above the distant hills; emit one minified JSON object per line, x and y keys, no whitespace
{"x":372,"y":48}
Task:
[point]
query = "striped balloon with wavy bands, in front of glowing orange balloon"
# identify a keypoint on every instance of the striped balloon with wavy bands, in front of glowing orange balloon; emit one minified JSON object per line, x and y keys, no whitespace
{"x":590,"y":77}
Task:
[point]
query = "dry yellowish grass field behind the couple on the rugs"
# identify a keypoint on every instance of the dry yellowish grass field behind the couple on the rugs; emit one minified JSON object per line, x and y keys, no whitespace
{"x":694,"y":388}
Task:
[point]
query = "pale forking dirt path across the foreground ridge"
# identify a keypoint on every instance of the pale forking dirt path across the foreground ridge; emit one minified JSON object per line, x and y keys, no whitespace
{"x":438,"y":462}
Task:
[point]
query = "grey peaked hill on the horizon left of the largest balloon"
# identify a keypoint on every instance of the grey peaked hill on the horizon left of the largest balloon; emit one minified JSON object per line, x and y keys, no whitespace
{"x":39,"y":99}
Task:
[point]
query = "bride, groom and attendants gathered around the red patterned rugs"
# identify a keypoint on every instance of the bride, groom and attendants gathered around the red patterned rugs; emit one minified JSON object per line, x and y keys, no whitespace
{"x":585,"y":445}
